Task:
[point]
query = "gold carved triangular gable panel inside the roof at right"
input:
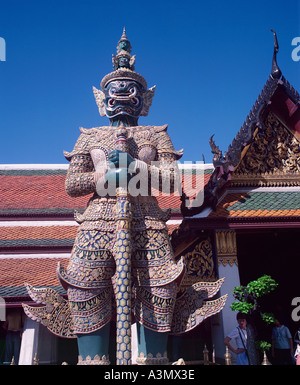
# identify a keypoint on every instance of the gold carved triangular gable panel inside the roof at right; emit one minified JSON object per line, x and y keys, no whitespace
{"x":272,"y":159}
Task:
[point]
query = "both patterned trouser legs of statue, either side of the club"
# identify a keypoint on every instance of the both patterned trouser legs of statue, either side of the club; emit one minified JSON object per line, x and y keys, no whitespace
{"x":89,"y":279}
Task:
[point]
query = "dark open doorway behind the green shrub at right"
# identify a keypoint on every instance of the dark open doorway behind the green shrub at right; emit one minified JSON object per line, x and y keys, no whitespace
{"x":276,"y":253}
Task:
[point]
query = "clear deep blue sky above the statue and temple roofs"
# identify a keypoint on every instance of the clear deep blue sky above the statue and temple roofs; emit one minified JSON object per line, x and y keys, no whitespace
{"x":208,"y":59}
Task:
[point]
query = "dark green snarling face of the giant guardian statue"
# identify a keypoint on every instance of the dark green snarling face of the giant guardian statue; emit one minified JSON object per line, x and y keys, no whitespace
{"x":123,"y":97}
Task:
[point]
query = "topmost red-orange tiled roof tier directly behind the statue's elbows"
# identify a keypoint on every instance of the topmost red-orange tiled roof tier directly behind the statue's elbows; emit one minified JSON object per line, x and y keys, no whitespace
{"x":32,"y":191}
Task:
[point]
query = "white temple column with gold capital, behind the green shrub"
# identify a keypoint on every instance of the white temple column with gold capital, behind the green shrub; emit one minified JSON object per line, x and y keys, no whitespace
{"x":226,"y":257}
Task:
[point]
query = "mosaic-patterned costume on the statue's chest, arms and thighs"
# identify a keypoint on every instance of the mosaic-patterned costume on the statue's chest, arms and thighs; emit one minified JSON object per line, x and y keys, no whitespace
{"x":89,"y":277}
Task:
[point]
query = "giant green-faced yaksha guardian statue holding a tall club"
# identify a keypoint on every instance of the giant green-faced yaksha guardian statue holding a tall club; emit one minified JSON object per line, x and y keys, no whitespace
{"x":122,"y":262}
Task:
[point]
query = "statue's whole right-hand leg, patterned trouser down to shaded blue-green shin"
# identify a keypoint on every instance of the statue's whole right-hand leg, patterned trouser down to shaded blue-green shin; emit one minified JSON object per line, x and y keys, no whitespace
{"x":156,"y":278}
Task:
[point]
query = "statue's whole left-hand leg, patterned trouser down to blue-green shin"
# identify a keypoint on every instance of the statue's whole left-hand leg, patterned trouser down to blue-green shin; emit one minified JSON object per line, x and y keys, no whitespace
{"x":90,"y":293}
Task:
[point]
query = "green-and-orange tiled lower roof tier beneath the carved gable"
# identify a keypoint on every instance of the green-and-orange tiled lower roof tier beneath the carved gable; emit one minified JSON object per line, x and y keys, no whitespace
{"x":245,"y":209}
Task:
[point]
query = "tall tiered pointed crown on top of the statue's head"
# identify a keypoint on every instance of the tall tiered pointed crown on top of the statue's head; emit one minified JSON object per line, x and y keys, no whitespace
{"x":123,"y":64}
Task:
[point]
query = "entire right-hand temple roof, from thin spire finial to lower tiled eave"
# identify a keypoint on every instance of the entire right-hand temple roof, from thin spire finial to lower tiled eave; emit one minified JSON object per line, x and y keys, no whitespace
{"x":256,"y":183}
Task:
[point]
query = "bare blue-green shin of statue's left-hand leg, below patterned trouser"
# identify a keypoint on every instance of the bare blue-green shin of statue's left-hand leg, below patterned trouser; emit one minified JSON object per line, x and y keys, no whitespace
{"x":93,"y":347}
